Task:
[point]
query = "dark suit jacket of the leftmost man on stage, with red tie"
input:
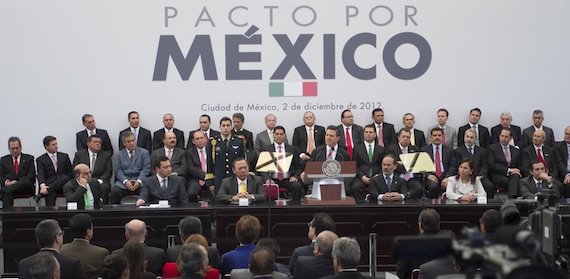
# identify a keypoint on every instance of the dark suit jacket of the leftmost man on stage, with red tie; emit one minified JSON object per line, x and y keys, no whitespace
{"x":26,"y":169}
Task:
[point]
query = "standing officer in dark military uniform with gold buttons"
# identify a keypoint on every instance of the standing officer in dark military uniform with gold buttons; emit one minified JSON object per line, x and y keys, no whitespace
{"x":225,"y":148}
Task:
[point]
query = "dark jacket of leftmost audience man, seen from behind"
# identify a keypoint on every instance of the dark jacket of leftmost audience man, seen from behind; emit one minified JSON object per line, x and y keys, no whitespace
{"x":70,"y":268}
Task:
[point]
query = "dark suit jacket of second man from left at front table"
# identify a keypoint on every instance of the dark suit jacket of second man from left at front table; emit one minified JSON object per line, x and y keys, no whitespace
{"x":175,"y":191}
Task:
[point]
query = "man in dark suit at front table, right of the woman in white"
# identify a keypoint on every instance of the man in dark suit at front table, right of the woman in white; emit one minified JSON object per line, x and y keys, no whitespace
{"x":538,"y":181}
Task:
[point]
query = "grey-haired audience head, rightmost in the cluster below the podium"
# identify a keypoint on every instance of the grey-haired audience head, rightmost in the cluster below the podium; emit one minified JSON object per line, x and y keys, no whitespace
{"x":346,"y":253}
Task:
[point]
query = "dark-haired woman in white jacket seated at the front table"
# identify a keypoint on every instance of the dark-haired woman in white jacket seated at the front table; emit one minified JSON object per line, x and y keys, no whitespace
{"x":465,"y":186}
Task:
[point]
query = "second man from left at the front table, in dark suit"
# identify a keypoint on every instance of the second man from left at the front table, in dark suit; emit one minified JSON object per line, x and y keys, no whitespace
{"x":163,"y":186}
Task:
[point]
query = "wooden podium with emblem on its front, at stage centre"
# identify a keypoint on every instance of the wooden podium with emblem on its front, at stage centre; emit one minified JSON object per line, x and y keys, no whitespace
{"x":329,"y":190}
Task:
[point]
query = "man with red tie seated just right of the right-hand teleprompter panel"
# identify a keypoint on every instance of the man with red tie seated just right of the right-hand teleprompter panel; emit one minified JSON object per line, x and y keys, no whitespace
{"x":444,"y":161}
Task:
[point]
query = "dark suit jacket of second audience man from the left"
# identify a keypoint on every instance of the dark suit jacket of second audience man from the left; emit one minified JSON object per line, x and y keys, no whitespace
{"x":90,"y":256}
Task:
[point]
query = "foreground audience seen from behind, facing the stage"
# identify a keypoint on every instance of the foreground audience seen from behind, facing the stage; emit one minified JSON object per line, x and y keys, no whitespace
{"x":326,"y":256}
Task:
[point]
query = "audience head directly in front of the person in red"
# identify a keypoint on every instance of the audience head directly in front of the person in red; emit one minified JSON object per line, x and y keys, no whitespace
{"x":193,"y":259}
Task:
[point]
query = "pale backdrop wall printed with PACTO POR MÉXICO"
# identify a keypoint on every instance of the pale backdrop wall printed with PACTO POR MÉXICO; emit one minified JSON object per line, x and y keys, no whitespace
{"x":60,"y":59}
